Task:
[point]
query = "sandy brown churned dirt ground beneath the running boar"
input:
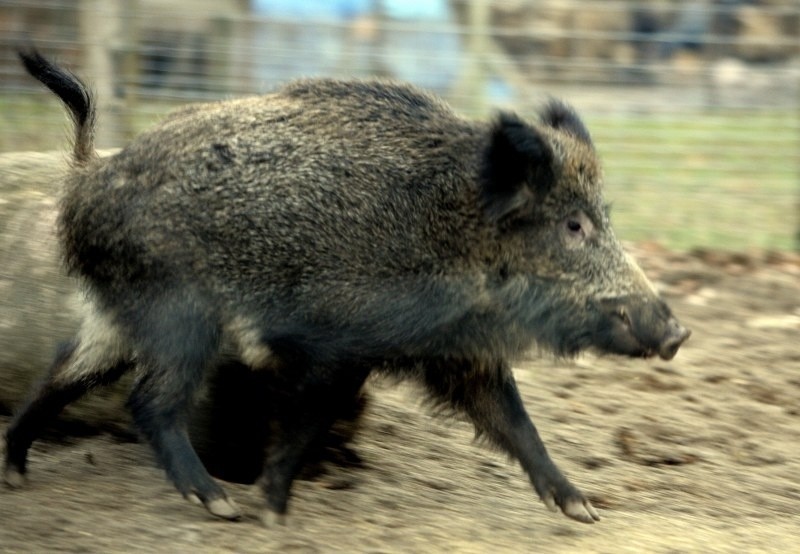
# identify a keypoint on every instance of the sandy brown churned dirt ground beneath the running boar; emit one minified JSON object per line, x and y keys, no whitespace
{"x":700,"y":454}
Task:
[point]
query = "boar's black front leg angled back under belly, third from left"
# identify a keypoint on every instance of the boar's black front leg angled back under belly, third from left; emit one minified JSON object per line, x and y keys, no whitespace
{"x":303,"y":419}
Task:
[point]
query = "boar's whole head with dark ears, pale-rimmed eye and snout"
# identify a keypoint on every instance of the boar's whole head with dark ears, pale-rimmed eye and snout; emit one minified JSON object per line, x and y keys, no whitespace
{"x":543,"y":192}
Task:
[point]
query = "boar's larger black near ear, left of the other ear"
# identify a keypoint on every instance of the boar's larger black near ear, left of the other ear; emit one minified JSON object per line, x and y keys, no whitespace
{"x":517,"y":165}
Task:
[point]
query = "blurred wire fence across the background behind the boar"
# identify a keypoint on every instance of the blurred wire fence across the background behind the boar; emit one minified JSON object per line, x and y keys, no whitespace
{"x":694,"y":106}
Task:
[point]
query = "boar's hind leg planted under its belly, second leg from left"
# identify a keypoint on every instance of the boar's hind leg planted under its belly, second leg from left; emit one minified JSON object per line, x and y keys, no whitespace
{"x":175,"y":341}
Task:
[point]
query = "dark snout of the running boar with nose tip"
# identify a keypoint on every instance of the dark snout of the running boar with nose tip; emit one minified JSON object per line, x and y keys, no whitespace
{"x":638,"y":326}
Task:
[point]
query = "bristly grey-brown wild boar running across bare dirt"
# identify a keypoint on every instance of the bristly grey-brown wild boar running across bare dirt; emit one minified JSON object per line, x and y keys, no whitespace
{"x":326,"y":230}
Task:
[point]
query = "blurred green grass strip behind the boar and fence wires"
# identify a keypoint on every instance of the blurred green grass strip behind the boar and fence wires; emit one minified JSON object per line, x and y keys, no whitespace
{"x":728,"y":180}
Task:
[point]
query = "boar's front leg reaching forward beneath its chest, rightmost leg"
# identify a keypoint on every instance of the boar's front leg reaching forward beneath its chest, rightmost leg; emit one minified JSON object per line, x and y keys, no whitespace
{"x":490,"y":398}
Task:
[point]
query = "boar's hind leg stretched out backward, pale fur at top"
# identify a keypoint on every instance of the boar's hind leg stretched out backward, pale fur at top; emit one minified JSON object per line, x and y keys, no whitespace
{"x":78,"y":368}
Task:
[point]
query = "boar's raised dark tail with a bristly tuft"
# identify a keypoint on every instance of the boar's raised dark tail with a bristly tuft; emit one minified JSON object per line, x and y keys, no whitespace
{"x":75,"y":95}
